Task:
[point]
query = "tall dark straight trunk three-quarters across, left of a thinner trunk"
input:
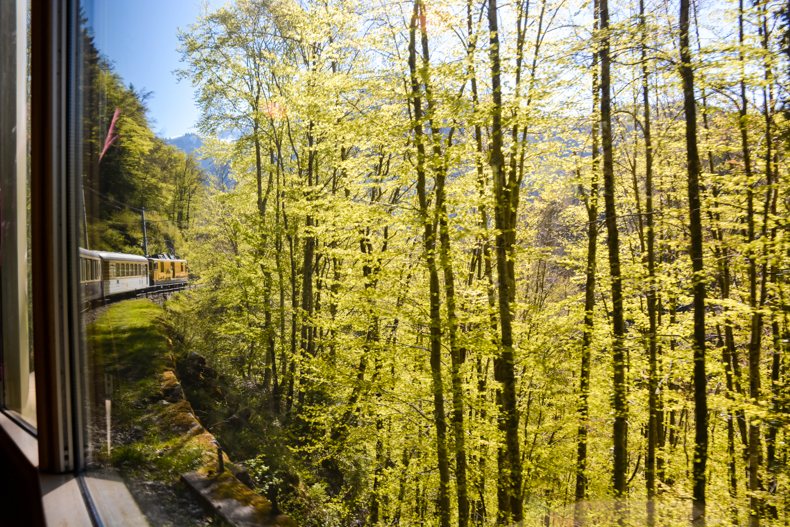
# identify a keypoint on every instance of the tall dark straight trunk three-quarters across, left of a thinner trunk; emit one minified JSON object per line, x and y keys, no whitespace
{"x":620,"y":402}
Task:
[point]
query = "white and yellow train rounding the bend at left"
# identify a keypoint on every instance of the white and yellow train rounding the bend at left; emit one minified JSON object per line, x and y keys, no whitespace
{"x":108,"y":275}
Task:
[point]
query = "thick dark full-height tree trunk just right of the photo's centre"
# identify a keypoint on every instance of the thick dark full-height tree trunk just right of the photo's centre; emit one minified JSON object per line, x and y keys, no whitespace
{"x":509,"y":480}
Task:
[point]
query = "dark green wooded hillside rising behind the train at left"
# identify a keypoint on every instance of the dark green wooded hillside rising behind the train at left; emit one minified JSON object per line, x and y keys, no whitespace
{"x":129,"y":170}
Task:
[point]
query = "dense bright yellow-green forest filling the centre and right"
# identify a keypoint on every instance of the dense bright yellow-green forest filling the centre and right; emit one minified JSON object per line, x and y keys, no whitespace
{"x":498,"y":262}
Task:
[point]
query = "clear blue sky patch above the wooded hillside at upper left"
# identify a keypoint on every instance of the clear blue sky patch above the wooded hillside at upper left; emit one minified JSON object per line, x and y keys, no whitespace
{"x":140,"y":39}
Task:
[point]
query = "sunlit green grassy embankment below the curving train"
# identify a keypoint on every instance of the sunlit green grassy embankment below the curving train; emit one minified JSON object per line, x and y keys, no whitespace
{"x":156,"y":437}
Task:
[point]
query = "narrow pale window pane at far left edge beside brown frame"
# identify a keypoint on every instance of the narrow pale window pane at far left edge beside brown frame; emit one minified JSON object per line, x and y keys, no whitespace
{"x":17,"y":378}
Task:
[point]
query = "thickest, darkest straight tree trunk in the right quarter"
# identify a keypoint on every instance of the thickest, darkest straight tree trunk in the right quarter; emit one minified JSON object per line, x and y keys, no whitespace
{"x":695,"y":224}
